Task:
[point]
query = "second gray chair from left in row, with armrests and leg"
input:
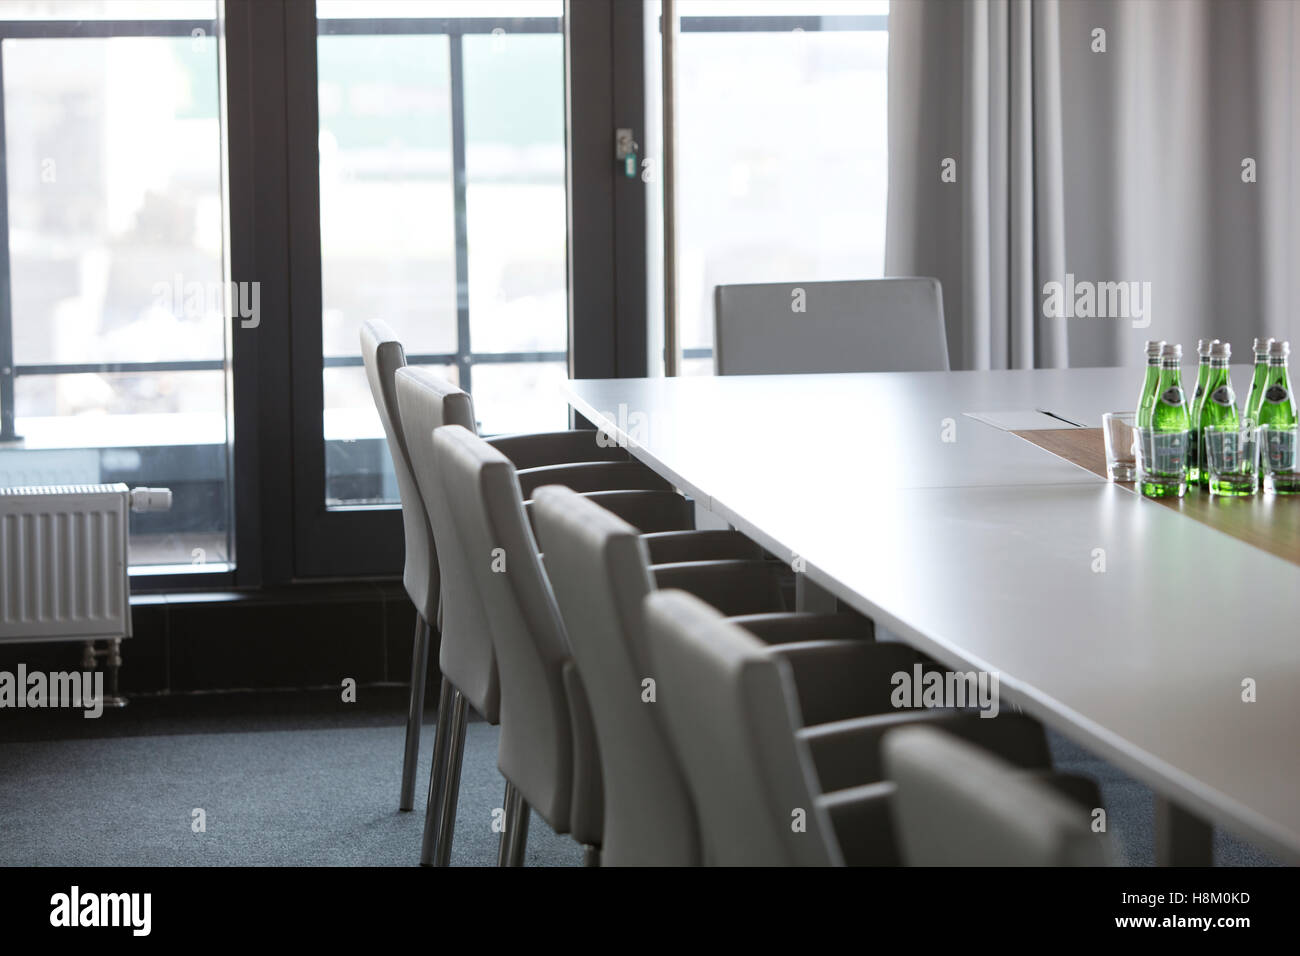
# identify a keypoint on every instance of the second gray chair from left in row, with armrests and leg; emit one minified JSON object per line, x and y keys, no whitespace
{"x":427,"y":401}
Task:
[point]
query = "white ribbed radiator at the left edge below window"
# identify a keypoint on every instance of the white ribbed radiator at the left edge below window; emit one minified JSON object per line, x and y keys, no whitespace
{"x":63,"y":561}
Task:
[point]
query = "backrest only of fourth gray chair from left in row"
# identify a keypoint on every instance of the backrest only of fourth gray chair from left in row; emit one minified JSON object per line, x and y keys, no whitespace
{"x":600,"y":570}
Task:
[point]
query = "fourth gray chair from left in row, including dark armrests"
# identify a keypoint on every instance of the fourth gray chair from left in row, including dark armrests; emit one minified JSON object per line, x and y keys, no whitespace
{"x":600,"y":570}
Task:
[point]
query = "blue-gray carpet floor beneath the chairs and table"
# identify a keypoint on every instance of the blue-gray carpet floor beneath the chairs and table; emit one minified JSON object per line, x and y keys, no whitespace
{"x":280,"y":791}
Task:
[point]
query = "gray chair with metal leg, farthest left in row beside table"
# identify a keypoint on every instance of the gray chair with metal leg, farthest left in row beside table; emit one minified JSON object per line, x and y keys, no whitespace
{"x":384,"y":356}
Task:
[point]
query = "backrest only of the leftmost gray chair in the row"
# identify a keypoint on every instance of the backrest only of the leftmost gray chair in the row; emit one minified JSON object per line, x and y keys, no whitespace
{"x":384,"y":356}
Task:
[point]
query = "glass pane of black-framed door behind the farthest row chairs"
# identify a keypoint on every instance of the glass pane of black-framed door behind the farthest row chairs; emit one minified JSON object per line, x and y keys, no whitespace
{"x":405,"y":97}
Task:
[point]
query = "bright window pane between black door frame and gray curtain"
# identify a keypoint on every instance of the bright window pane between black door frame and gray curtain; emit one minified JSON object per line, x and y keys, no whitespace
{"x":782,"y":170}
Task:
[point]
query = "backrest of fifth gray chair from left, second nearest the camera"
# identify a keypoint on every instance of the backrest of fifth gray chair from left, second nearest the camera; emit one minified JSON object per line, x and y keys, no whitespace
{"x":731,"y":710}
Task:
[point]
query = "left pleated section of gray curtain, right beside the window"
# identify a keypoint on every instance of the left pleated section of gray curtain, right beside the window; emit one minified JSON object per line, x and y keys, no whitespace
{"x":974,"y":171}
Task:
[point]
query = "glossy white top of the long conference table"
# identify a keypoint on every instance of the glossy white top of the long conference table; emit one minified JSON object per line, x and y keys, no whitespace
{"x":920,"y":499}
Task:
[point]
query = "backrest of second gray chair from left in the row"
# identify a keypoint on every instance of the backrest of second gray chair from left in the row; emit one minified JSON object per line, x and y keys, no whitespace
{"x":466,"y":655}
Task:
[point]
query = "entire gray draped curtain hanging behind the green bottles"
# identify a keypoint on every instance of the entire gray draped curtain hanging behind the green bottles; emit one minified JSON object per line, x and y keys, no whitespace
{"x":1111,"y":158}
